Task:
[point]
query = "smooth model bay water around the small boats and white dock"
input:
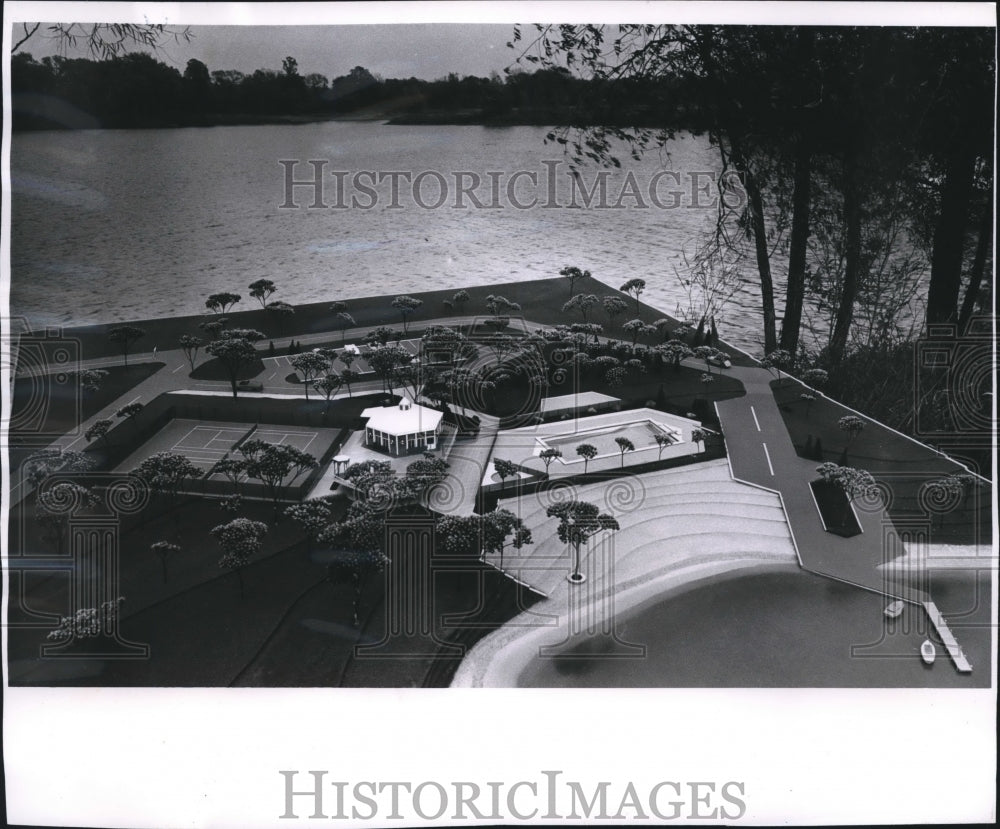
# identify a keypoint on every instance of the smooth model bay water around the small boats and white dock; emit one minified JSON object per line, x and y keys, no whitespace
{"x":785,"y":630}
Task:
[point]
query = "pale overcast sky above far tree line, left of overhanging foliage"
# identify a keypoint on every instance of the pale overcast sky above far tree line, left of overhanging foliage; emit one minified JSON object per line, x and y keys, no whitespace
{"x":395,"y":51}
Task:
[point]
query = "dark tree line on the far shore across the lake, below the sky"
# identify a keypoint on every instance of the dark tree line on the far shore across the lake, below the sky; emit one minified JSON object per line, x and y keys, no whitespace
{"x":136,"y":90}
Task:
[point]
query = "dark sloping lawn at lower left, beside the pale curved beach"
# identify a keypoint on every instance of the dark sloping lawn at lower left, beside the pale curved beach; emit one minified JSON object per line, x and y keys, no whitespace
{"x":291,"y":627}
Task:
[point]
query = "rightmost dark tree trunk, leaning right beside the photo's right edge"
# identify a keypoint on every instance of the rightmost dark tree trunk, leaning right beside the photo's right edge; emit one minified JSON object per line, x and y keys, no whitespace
{"x":949,"y":236}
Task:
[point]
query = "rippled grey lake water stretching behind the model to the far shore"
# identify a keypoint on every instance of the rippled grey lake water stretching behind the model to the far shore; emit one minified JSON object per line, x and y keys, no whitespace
{"x":116,"y":225}
